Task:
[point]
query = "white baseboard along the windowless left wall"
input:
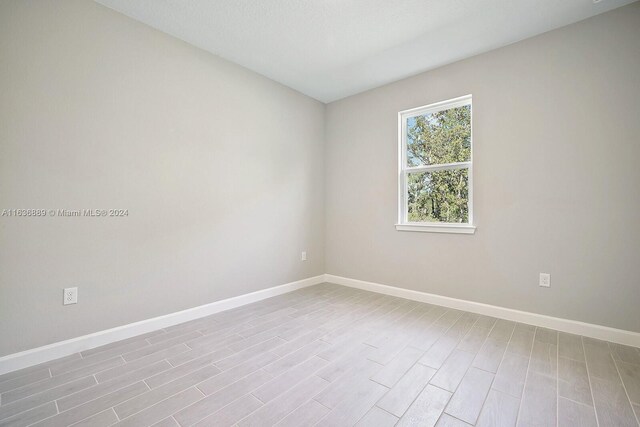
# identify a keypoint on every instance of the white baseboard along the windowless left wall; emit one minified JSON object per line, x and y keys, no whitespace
{"x":53,"y":351}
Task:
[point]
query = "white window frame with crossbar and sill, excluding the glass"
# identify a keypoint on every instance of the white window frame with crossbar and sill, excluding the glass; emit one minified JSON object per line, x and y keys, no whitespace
{"x":403,"y":170}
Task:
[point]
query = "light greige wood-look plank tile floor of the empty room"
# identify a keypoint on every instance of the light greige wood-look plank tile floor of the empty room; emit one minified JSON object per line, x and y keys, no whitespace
{"x":334,"y":356}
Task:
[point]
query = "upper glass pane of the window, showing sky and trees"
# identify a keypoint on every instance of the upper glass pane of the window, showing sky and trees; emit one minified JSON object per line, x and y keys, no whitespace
{"x":438,"y":138}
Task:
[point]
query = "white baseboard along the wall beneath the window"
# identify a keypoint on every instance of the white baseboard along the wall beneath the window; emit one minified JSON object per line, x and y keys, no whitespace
{"x":619,"y":336}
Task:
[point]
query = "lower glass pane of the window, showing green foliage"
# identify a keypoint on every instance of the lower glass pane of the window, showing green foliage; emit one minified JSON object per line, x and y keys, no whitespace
{"x":441,"y":196}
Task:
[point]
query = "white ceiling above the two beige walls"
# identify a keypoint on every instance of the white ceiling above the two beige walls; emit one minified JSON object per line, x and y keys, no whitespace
{"x":329,"y":49}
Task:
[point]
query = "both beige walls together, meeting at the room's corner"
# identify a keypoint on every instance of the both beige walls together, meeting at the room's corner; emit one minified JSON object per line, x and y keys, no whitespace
{"x":227,"y":175}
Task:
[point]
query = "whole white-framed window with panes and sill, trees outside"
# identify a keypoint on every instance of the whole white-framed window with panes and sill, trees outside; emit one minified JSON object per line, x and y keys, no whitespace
{"x":435,"y":174}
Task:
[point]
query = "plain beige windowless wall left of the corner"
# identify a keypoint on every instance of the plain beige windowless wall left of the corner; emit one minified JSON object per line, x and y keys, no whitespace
{"x":221,"y":170}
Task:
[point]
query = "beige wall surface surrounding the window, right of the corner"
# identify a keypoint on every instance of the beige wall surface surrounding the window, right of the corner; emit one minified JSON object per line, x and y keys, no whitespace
{"x":557,"y":182}
